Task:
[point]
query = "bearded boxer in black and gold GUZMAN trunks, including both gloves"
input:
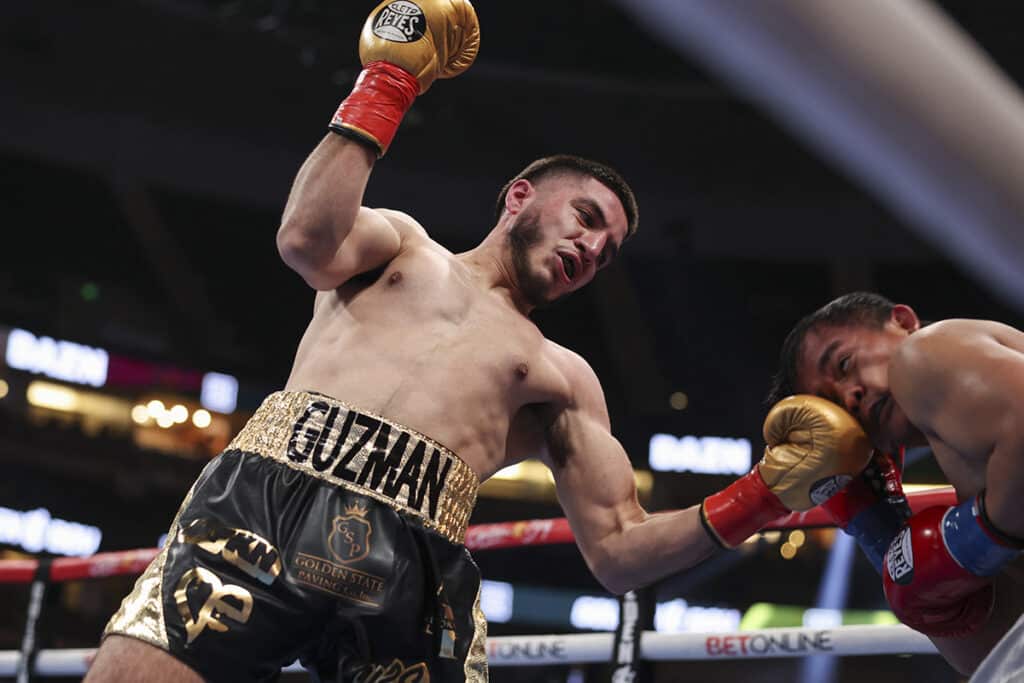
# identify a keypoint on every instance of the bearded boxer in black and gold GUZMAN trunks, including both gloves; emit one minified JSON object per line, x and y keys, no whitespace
{"x":331,"y":529}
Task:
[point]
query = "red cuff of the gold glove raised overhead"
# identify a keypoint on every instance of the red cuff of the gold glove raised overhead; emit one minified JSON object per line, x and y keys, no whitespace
{"x":372,"y":113}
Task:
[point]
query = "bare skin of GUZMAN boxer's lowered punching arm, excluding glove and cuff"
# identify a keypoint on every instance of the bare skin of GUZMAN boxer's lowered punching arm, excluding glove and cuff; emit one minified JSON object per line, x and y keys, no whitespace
{"x":624,"y":546}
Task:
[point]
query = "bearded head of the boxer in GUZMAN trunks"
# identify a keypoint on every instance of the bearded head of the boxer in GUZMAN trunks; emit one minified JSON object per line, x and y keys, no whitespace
{"x":566,"y":219}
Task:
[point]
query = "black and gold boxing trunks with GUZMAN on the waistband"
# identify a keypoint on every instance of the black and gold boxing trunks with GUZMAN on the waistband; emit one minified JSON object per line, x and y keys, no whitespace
{"x":325,"y":535}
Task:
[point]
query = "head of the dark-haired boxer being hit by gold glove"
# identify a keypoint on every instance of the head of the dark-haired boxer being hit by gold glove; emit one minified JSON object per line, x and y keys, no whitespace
{"x":842,"y":353}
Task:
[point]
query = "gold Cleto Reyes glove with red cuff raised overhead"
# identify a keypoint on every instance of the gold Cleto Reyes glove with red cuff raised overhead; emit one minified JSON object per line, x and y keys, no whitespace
{"x":404,"y":48}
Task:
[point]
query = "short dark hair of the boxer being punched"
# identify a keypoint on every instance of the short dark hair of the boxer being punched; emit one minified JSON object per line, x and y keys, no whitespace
{"x":859,"y":309}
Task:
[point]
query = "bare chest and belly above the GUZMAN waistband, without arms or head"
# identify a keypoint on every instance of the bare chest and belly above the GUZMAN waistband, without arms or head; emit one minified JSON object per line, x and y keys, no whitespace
{"x":428,"y":343}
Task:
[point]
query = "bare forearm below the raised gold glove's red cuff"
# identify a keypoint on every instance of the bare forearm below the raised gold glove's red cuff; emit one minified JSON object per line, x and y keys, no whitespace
{"x":325,"y":200}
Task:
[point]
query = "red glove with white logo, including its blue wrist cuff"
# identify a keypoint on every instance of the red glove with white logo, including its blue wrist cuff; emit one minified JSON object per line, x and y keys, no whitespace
{"x":938,"y":572}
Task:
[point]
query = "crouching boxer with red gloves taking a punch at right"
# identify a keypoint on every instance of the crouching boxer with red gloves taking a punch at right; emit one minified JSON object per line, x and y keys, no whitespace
{"x":958,"y":387}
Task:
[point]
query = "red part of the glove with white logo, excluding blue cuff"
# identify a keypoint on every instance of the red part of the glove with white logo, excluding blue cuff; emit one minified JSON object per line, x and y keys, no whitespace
{"x":927,"y":588}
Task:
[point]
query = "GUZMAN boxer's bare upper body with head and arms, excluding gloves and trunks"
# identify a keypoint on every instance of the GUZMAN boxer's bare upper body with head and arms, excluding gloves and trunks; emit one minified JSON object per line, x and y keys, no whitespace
{"x":443,"y":343}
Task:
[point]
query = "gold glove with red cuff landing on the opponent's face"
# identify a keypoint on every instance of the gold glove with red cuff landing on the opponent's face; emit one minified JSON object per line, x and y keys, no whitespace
{"x":815,"y":448}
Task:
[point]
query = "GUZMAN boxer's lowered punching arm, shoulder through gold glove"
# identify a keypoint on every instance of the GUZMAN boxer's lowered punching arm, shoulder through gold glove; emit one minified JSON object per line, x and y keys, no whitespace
{"x":812,"y":446}
